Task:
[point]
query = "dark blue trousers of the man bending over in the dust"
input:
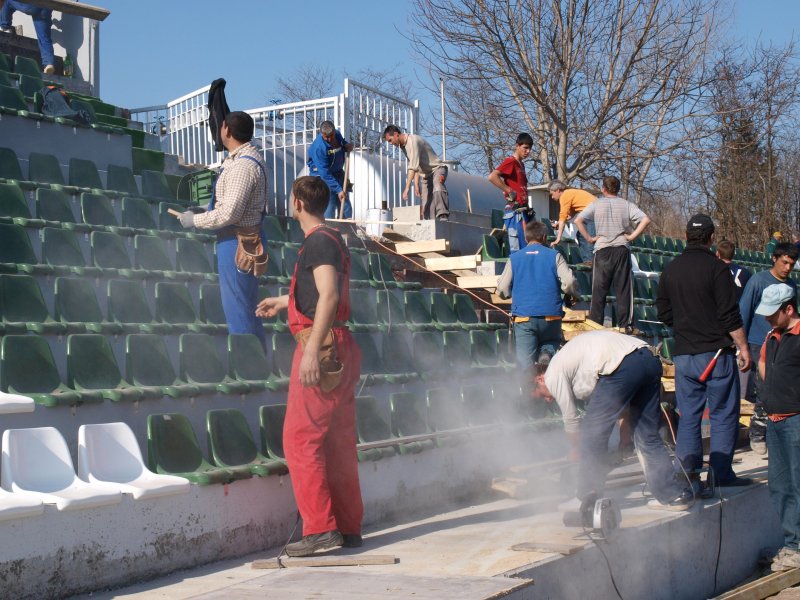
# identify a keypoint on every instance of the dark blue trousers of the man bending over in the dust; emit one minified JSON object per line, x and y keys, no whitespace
{"x":636,"y":383}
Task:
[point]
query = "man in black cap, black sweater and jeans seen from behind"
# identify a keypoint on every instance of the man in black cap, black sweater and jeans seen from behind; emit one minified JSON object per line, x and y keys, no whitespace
{"x":697,"y":298}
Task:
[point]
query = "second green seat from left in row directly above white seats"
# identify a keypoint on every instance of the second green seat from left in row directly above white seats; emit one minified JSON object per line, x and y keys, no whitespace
{"x":92,"y":370}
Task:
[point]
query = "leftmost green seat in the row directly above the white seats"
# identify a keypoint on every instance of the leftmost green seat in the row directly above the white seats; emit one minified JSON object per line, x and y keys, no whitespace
{"x":27,"y":367}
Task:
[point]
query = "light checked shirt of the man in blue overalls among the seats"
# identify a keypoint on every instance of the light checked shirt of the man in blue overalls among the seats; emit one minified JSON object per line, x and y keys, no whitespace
{"x":241,"y":192}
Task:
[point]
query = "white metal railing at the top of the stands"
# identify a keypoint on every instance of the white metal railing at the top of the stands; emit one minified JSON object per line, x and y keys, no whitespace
{"x":285,"y":131}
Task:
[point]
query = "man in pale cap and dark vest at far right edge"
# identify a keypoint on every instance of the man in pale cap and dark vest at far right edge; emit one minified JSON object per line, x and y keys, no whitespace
{"x":779,"y":367}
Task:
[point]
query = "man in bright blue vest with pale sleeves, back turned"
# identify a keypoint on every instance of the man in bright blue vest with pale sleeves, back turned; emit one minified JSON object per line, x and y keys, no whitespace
{"x":537,"y":275}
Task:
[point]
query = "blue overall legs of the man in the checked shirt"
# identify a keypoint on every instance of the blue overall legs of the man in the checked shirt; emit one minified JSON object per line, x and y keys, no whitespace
{"x":239,"y":292}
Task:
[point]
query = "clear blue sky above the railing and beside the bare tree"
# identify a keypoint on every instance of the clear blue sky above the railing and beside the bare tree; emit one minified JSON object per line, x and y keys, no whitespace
{"x":153,"y":51}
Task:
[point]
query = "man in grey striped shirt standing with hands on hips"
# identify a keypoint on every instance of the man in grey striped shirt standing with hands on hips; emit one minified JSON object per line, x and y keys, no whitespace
{"x":617,"y":223}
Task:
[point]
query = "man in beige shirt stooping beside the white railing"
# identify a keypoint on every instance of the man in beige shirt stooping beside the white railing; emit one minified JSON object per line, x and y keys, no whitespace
{"x":425,"y":170}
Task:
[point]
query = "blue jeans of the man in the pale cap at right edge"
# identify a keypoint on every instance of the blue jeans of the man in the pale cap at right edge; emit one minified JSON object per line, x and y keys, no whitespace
{"x":783,"y":445}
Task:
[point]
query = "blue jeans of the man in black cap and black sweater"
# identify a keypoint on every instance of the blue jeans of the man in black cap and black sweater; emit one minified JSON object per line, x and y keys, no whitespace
{"x":721,"y":390}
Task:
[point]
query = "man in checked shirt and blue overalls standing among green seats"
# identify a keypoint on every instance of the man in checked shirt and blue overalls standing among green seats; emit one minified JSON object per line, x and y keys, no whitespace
{"x":238,"y":202}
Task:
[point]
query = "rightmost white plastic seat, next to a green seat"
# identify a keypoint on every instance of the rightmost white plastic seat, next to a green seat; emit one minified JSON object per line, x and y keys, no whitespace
{"x":108,"y":453}
